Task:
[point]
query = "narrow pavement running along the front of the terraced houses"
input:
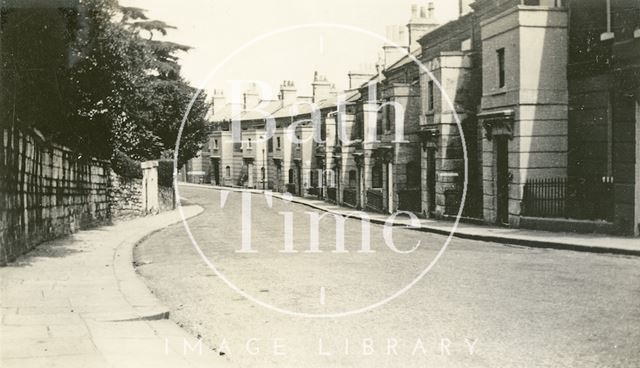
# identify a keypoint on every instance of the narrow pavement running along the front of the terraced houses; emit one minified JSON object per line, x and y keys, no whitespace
{"x":596,"y":243}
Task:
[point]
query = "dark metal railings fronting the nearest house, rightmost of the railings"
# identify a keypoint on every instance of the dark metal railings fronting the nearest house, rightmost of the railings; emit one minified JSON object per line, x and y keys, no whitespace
{"x":575,"y":198}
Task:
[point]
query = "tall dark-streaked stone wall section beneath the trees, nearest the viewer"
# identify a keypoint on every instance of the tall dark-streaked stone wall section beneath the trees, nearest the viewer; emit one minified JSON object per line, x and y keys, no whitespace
{"x":46,"y":191}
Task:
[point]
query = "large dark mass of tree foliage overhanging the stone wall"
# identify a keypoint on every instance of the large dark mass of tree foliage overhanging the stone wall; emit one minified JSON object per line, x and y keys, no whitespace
{"x":114,"y":87}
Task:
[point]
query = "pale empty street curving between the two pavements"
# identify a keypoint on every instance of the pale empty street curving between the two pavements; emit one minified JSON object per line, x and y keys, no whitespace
{"x":481,"y":305}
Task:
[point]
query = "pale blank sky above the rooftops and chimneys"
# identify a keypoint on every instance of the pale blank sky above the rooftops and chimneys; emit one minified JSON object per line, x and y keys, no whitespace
{"x":216,"y":29}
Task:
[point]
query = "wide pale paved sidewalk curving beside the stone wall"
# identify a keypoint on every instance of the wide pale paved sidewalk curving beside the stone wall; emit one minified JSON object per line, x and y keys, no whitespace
{"x":78,"y":302}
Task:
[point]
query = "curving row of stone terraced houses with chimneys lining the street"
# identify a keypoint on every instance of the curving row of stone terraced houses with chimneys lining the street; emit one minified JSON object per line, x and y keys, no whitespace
{"x":526,"y":111}
